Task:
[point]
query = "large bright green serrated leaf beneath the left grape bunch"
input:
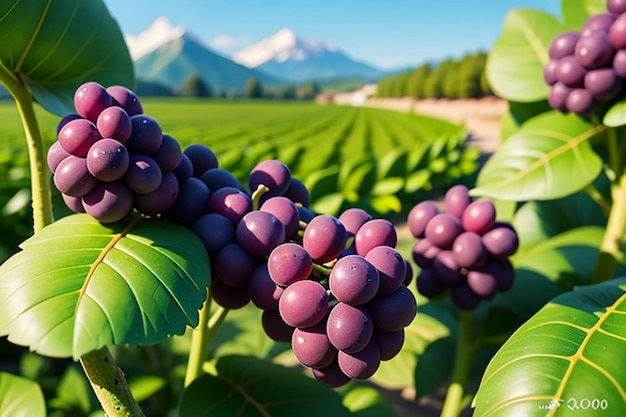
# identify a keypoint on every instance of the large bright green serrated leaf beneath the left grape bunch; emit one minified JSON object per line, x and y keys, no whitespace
{"x":78,"y":285}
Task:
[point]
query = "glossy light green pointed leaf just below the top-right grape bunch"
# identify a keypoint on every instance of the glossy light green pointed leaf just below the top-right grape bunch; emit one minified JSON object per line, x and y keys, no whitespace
{"x":549,"y":157}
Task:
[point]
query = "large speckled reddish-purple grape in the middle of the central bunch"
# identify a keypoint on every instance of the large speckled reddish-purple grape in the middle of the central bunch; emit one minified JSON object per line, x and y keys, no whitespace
{"x":353,"y":280}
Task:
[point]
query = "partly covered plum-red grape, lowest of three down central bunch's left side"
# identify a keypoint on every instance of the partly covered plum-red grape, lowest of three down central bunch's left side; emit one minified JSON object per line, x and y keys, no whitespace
{"x":311,"y":346}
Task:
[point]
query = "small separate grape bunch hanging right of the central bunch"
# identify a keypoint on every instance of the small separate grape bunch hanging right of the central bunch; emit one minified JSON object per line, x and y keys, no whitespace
{"x":462,"y":249}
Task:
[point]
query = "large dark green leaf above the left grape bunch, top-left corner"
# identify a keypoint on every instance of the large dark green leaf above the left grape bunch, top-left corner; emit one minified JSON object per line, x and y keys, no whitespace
{"x":54,"y":46}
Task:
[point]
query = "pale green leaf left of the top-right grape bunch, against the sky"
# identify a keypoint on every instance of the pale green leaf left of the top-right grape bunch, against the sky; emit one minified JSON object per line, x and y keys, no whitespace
{"x":515,"y":64}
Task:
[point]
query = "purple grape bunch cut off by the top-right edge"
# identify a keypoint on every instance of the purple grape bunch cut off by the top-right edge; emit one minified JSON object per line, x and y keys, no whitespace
{"x":587,"y":68}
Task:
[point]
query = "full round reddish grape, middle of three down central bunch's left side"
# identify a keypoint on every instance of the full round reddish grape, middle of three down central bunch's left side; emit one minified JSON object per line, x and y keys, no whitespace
{"x":303,"y":303}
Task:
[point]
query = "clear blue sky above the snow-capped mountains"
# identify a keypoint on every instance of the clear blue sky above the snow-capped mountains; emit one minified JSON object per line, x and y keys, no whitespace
{"x":385,"y":33}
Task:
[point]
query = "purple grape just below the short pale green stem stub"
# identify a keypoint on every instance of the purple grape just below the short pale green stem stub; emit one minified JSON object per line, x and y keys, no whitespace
{"x":259,"y":232}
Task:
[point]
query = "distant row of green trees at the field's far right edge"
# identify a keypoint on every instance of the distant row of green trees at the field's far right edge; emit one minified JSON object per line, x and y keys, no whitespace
{"x":453,"y":79}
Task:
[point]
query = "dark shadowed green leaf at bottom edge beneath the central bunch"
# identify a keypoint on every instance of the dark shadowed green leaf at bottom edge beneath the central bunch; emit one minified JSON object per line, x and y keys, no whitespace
{"x":245,"y":386}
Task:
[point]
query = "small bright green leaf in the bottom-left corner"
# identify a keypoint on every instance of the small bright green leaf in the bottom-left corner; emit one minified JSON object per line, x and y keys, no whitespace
{"x":20,"y":397}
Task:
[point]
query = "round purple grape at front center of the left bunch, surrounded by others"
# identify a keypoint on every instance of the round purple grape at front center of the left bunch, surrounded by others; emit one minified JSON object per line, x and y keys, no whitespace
{"x":108,"y":160}
